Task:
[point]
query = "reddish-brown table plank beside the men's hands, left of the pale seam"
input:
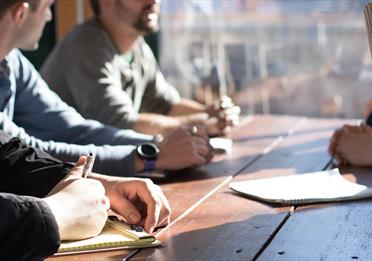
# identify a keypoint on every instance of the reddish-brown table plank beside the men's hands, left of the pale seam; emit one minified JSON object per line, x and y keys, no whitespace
{"x":250,"y":140}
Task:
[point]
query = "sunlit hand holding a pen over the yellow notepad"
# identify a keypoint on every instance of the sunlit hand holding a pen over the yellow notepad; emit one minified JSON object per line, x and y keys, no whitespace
{"x":78,"y":204}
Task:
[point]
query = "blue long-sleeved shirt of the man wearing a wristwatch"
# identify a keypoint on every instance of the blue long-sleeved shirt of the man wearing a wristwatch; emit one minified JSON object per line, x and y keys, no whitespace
{"x":31,"y":111}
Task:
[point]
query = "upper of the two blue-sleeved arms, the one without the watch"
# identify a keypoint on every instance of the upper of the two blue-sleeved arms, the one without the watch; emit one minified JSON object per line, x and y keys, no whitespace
{"x":44,"y":115}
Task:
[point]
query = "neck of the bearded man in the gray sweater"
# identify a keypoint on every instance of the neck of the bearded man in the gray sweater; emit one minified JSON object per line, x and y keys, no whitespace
{"x":123,"y":36}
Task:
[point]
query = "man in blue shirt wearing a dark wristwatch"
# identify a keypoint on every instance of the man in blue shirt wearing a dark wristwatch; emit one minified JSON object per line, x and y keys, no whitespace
{"x":31,"y":111}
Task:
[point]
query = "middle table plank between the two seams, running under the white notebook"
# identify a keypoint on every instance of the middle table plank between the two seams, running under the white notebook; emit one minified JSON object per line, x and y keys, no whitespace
{"x":229,"y":227}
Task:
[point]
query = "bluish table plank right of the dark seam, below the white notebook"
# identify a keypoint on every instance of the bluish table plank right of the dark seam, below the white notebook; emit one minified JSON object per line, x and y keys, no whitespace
{"x":341,"y":231}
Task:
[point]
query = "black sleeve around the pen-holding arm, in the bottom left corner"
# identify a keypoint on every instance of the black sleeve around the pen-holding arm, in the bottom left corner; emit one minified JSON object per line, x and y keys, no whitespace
{"x":28,"y":229}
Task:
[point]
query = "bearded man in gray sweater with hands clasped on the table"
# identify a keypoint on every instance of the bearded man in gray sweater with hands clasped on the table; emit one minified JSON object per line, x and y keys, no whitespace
{"x":107,"y":60}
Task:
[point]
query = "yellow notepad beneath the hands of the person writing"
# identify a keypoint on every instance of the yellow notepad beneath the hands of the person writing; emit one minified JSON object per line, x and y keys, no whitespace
{"x":115,"y":235}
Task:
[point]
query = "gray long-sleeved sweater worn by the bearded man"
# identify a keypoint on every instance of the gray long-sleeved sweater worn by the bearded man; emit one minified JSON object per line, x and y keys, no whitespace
{"x":89,"y":73}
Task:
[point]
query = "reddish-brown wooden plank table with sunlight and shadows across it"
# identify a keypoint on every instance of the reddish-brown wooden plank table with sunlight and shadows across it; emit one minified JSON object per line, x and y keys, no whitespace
{"x":210,"y":222}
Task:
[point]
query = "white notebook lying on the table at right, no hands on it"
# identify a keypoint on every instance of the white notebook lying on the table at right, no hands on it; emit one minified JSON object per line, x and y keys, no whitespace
{"x":323,"y":186}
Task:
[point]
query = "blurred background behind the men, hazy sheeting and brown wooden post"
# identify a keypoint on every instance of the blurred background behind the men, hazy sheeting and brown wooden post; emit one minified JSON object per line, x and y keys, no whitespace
{"x":298,"y":57}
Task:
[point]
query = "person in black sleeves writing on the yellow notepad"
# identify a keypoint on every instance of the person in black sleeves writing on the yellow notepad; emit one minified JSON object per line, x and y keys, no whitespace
{"x":41,"y":197}
